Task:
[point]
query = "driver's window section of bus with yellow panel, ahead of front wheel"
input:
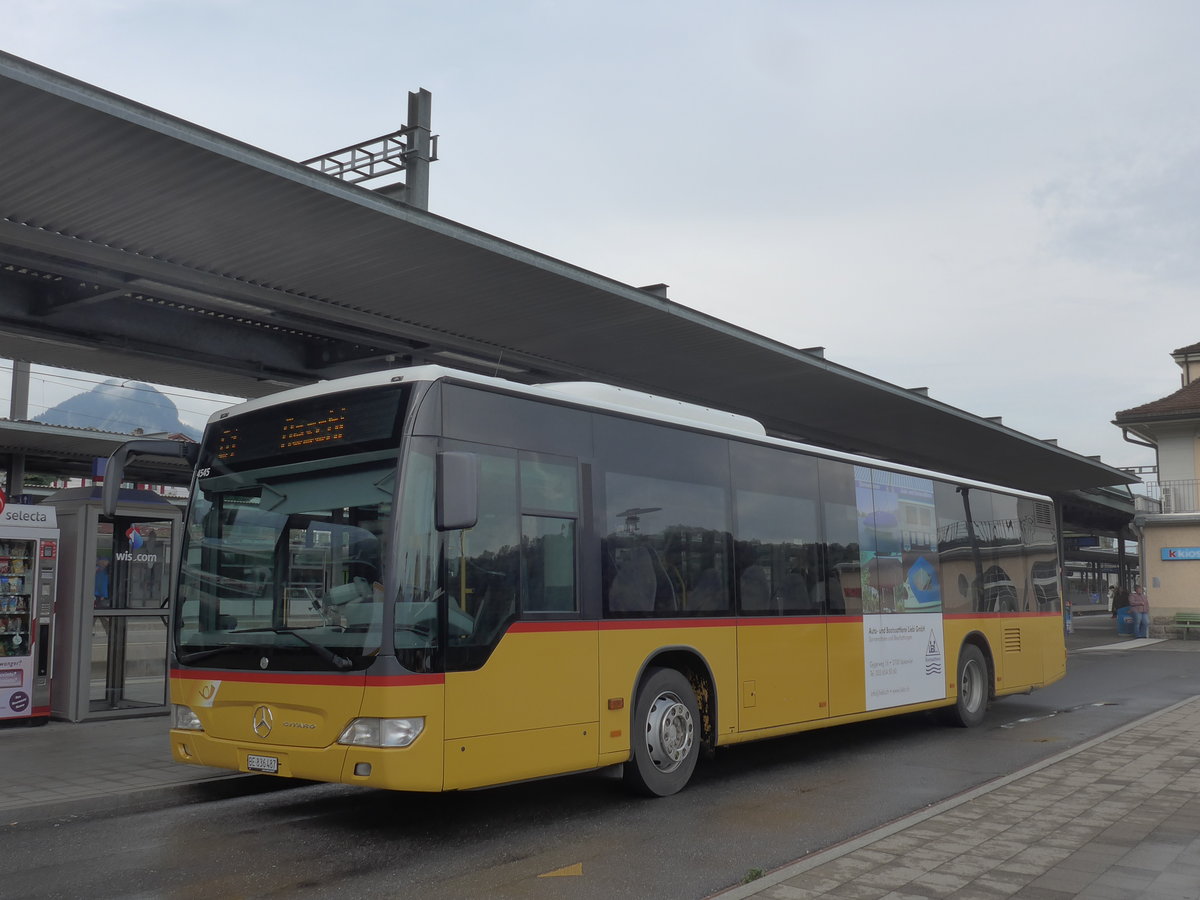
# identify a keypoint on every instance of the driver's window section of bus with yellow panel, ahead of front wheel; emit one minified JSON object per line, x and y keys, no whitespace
{"x":523,"y":682}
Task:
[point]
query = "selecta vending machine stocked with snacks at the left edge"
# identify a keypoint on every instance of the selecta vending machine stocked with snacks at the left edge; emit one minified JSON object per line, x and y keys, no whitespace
{"x":29,"y":556}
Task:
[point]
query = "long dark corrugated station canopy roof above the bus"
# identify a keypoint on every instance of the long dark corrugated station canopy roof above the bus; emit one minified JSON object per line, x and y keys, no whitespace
{"x":137,"y":245}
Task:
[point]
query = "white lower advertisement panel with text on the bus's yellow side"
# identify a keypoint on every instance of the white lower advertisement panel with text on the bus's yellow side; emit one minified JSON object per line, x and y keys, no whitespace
{"x":905,"y":659}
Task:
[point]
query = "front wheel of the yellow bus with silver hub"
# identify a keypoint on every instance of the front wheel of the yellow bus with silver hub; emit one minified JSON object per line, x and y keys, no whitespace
{"x":665,"y":740}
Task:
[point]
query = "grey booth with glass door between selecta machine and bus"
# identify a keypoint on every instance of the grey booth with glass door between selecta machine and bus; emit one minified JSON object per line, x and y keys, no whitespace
{"x":115,"y":602}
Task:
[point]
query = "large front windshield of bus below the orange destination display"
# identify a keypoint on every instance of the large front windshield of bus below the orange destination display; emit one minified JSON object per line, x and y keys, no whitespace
{"x":284,"y":568}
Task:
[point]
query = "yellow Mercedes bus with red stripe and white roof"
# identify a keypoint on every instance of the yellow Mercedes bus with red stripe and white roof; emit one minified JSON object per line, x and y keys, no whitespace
{"x":427,"y":580}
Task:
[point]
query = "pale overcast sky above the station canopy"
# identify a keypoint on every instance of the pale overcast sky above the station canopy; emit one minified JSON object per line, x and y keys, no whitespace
{"x":998,"y":201}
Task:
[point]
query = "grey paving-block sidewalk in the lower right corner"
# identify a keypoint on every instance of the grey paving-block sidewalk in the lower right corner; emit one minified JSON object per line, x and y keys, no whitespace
{"x":1115,"y":819}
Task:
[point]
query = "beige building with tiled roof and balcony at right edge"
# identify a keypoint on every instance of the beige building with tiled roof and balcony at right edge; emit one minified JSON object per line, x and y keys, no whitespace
{"x":1171,"y":525}
